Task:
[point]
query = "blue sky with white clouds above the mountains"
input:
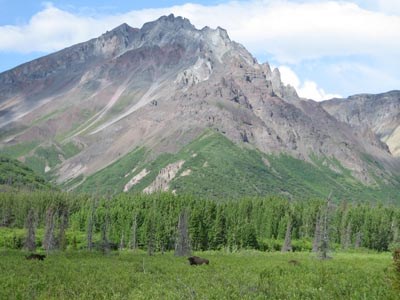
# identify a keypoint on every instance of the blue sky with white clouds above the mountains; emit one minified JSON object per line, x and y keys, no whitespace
{"x":323,"y":48}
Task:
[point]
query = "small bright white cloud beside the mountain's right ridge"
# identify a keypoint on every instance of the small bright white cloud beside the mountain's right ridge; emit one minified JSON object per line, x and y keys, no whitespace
{"x":307,"y":89}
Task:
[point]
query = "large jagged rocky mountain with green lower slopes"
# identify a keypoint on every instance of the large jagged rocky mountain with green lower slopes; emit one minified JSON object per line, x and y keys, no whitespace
{"x":172,"y":107}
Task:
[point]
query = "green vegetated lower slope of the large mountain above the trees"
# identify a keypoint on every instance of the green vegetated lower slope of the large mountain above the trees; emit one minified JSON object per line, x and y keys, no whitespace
{"x":213,"y":166}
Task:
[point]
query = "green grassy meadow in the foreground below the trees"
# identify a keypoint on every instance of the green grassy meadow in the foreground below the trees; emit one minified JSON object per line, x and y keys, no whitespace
{"x":244,"y":275}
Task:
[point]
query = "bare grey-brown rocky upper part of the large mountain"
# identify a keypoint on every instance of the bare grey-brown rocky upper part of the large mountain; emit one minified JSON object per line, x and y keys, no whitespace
{"x":161,"y":86}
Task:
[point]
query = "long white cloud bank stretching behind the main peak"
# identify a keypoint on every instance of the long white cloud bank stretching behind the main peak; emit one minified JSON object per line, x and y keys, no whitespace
{"x":289,"y":31}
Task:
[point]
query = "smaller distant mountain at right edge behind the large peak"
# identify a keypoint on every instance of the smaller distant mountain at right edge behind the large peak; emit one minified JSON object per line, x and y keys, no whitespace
{"x":377,"y":113}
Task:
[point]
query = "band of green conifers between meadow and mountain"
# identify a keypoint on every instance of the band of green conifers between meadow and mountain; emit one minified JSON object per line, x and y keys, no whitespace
{"x":164,"y":222}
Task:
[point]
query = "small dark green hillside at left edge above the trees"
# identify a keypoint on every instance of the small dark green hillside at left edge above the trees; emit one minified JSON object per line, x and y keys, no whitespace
{"x":17,"y":175}
